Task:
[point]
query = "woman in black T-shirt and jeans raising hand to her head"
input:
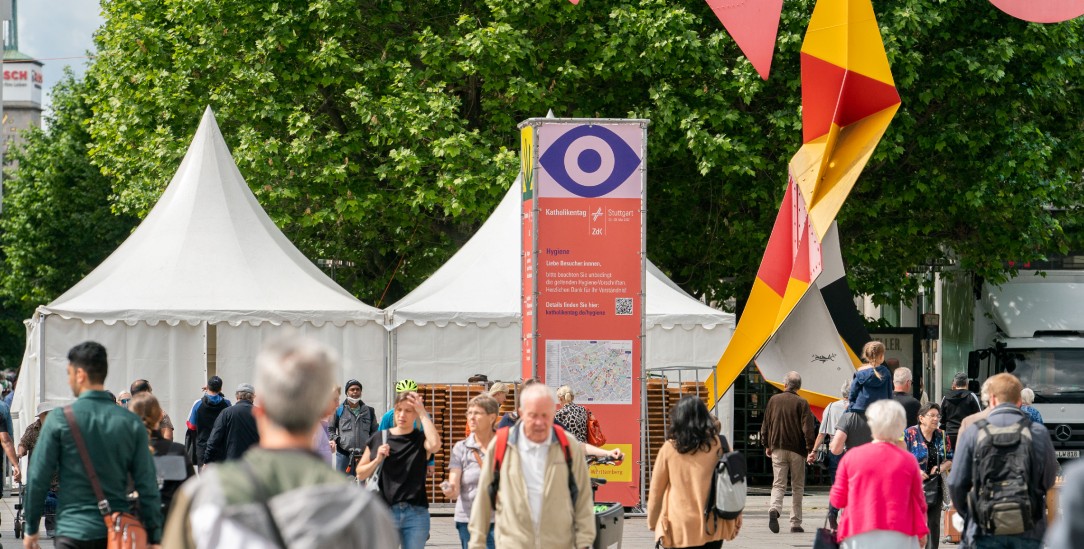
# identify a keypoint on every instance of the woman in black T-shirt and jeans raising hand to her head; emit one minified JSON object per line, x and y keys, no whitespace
{"x":396,"y":459}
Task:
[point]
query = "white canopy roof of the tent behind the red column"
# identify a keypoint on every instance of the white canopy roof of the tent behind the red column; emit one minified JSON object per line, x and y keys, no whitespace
{"x":481,"y":285}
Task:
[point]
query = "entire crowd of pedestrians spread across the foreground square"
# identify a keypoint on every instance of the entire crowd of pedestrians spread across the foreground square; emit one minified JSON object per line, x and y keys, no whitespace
{"x":291,"y":462}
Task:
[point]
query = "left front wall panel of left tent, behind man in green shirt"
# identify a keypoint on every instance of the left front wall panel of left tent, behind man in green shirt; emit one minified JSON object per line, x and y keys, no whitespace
{"x":172,"y":358}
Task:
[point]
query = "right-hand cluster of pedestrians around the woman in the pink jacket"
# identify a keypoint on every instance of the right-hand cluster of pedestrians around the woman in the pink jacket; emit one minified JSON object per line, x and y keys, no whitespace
{"x":899,"y":465}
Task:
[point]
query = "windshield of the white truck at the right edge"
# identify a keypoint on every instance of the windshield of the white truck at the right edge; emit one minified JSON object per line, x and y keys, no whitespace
{"x":1055,"y":375}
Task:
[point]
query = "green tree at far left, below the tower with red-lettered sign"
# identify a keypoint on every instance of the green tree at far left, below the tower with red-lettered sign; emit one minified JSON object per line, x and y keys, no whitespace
{"x":57,"y":224}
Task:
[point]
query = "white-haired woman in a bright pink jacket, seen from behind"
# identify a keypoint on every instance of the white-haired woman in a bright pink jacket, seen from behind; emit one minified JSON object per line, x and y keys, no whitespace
{"x":880,"y":488}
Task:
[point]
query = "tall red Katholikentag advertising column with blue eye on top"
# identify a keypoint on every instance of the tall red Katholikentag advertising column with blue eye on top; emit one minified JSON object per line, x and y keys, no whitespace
{"x":584,"y":276}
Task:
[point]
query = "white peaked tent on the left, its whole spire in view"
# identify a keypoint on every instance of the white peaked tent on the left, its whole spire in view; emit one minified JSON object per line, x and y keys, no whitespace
{"x":199,"y":287}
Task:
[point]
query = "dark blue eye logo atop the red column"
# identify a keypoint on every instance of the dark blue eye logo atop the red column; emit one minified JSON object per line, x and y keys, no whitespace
{"x":590,"y":161}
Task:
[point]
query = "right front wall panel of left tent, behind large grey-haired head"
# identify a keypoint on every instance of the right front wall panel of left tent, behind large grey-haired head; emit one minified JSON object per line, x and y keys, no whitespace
{"x":362,"y":349}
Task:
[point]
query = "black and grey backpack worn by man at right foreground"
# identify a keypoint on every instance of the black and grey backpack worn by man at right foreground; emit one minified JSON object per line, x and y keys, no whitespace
{"x":1001,"y":501}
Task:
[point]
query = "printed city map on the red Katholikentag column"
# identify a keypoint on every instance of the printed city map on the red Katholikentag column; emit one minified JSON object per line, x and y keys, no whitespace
{"x":598,"y":372}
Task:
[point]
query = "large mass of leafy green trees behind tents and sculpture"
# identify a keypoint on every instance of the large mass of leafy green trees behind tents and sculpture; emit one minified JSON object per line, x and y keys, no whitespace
{"x":383,"y":133}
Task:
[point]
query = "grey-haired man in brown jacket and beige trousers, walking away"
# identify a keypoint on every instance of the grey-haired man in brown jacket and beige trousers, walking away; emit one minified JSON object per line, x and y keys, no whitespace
{"x":788,"y":436}
